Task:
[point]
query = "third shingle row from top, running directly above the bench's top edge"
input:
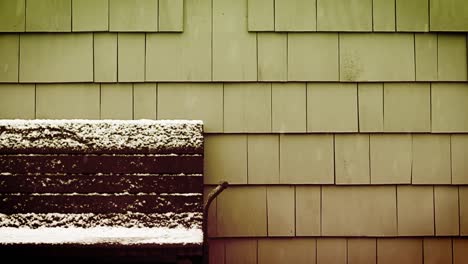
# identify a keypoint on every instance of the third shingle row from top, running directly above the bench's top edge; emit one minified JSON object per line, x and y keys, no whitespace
{"x":277,"y":107}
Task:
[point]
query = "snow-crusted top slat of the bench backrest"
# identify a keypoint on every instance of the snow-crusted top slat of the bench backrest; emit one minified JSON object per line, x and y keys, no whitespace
{"x":99,"y":135}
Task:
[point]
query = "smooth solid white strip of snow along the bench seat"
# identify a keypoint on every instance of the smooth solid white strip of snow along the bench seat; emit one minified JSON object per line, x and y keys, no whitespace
{"x":101,"y":235}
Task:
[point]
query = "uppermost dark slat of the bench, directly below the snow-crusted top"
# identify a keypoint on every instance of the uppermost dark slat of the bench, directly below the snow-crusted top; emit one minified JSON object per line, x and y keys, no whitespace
{"x":91,"y":164}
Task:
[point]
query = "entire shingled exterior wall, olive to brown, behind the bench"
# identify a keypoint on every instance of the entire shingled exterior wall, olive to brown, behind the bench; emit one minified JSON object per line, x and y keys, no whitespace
{"x":341,"y":125}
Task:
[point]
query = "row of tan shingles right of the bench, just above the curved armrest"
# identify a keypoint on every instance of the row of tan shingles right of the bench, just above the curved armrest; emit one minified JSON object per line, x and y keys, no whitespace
{"x":340,"y":159}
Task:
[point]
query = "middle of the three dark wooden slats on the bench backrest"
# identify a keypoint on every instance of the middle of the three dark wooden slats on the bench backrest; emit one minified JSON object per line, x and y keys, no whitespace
{"x":100,"y":184}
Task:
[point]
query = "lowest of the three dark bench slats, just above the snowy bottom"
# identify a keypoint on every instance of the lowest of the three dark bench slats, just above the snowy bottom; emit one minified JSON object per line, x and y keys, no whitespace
{"x":147,"y":203}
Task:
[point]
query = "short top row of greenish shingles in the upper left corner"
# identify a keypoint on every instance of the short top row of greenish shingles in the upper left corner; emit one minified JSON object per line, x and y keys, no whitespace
{"x":91,"y":15}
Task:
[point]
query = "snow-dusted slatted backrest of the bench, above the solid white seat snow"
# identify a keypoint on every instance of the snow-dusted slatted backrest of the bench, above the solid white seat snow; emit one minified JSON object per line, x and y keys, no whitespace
{"x":149,"y":173}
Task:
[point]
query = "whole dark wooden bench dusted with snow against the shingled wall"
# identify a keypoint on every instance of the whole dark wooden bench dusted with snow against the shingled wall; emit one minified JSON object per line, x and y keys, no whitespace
{"x":102,"y":190}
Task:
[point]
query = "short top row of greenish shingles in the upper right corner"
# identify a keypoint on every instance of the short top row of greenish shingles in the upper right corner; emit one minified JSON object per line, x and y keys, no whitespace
{"x":358,"y":15}
